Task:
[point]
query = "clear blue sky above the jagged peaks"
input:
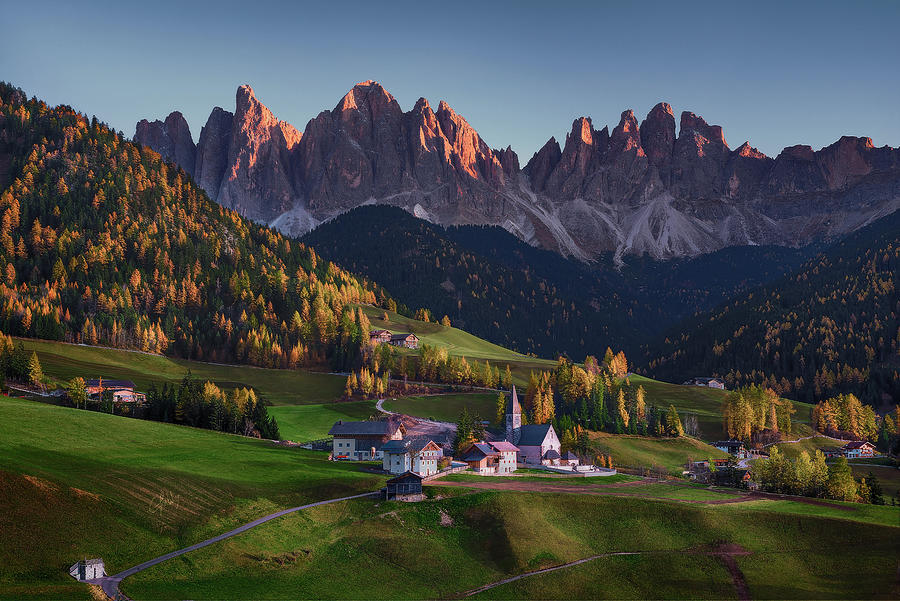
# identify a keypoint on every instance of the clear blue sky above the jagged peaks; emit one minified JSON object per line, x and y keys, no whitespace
{"x":776,"y":73}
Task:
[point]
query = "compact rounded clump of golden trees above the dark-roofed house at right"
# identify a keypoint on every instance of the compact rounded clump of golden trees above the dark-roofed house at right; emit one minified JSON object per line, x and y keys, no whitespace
{"x":755,"y":413}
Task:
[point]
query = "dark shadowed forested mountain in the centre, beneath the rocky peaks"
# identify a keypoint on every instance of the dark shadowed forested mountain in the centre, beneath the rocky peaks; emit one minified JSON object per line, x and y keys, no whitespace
{"x":533,"y":300}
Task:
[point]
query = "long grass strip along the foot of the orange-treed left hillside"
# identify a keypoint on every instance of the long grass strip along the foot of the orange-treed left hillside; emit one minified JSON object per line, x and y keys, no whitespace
{"x":63,"y":362}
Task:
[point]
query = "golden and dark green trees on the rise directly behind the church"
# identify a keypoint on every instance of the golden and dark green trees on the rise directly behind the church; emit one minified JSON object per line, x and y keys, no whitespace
{"x":598,"y":396}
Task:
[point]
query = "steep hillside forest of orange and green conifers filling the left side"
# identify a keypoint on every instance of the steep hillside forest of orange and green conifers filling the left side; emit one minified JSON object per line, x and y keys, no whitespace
{"x":102,"y":242}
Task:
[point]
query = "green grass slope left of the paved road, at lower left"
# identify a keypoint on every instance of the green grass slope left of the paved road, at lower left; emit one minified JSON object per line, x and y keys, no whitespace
{"x":77,"y":483}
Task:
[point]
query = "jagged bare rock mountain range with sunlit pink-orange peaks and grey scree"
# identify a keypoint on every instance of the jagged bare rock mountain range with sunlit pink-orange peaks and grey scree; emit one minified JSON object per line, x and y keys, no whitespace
{"x":640,"y":189}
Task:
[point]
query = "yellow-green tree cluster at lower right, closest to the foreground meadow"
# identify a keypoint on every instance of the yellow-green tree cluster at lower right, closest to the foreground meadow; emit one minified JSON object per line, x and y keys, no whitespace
{"x":812,"y":477}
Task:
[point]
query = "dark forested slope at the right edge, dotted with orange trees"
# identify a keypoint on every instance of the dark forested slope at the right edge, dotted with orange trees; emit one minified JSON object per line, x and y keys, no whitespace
{"x":832,"y":326}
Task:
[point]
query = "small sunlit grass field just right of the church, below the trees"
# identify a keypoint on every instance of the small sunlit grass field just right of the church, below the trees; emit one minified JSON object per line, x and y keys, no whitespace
{"x":646,"y":452}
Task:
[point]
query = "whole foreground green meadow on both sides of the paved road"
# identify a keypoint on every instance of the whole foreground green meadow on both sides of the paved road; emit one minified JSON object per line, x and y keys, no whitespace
{"x":78,"y":483}
